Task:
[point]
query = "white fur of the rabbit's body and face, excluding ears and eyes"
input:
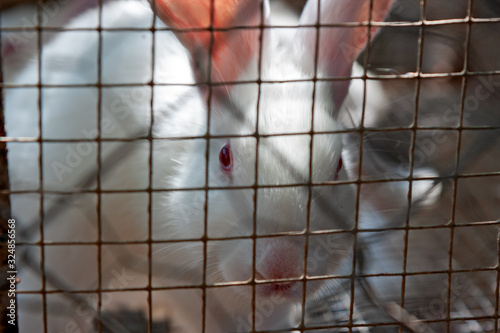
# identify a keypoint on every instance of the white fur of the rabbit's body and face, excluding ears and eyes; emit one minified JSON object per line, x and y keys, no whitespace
{"x":180,"y":111}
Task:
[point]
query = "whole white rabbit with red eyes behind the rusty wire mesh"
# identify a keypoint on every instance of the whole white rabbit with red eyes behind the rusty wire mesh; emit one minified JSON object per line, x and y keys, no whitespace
{"x":260,"y":216}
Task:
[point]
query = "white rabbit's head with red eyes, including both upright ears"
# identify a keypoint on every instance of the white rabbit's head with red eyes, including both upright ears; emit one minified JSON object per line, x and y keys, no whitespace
{"x":274,"y":152}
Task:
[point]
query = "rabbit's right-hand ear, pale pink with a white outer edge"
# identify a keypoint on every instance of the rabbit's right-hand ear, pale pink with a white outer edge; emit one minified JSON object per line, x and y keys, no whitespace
{"x":338,"y":46}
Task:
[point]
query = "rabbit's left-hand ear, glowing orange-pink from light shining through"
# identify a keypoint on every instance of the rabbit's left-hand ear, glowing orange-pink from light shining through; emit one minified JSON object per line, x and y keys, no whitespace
{"x":235,"y":36}
